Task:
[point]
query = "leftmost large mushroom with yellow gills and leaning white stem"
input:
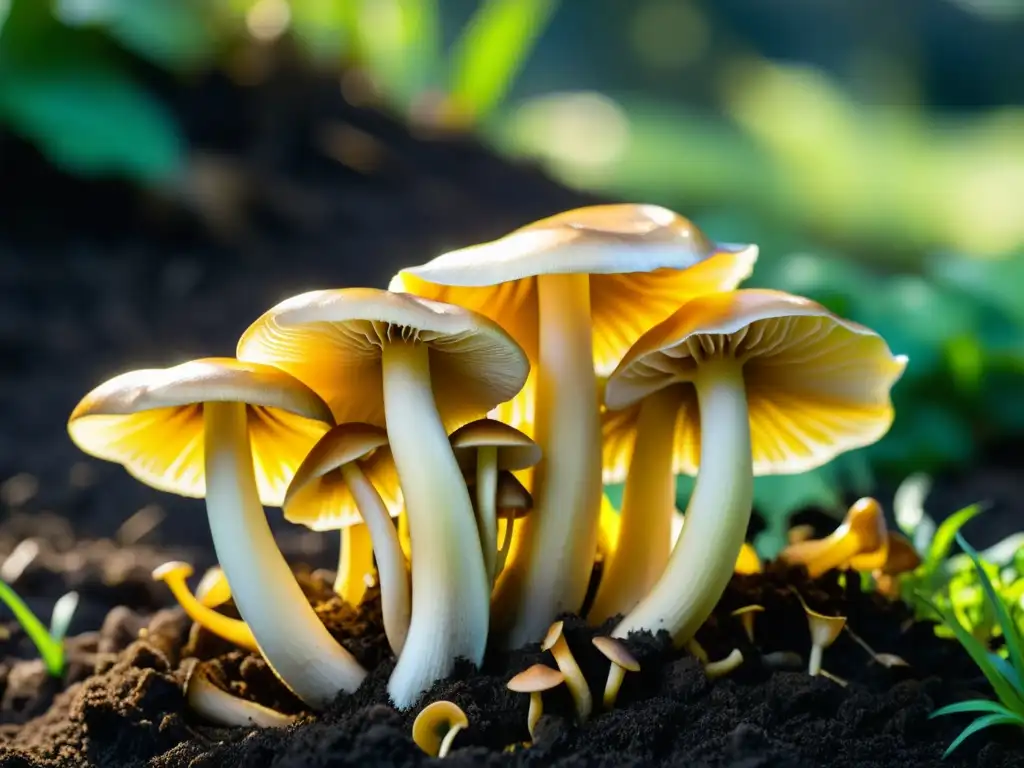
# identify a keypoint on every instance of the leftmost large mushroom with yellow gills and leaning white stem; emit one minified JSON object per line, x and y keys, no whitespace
{"x":233,"y":433}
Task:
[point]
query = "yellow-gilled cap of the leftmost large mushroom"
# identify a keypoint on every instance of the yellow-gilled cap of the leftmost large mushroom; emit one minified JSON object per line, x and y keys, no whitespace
{"x":151,"y":421}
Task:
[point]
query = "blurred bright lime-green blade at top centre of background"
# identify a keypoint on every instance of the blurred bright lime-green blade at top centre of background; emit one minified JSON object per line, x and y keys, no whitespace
{"x":493,"y":49}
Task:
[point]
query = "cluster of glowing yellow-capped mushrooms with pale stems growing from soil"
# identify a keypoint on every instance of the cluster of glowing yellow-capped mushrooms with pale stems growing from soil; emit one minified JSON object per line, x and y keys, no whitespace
{"x":457,"y":431}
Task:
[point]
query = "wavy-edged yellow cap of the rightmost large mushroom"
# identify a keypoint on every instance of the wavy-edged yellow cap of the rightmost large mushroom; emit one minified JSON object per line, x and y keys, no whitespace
{"x":817,"y":385}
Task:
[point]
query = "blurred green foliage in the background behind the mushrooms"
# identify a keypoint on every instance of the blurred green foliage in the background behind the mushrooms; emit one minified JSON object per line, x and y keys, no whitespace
{"x":893,"y":216}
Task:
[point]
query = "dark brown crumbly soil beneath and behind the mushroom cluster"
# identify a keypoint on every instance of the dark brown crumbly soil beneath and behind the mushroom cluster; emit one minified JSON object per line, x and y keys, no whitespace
{"x":97,"y":278}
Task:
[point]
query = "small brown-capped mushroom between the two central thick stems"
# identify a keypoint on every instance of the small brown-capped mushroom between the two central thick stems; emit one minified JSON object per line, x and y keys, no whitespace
{"x":485,"y":448}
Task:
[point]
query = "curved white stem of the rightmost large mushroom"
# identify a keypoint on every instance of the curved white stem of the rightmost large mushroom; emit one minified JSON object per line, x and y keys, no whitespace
{"x":705,"y":556}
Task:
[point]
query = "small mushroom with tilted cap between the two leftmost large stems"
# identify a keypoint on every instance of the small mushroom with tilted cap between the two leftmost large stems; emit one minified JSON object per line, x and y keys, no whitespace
{"x":344,"y":483}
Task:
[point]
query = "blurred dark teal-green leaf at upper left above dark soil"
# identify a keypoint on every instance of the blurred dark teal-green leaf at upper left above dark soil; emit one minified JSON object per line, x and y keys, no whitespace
{"x":91,"y":118}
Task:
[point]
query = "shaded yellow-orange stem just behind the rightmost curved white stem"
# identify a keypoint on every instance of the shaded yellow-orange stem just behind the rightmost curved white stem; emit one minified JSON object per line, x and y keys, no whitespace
{"x":649,"y":505}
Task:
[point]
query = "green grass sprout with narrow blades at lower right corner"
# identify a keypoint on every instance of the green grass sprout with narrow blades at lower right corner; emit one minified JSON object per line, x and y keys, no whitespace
{"x":1005,"y":675}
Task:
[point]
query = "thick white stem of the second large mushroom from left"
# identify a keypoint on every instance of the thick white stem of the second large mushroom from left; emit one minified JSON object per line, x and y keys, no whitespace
{"x":451,"y":592}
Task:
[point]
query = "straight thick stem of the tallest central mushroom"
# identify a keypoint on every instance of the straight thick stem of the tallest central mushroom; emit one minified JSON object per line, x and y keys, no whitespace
{"x":552,"y":568}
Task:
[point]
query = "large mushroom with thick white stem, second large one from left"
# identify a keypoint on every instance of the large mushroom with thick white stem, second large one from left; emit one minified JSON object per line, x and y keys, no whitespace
{"x":421,"y":369}
